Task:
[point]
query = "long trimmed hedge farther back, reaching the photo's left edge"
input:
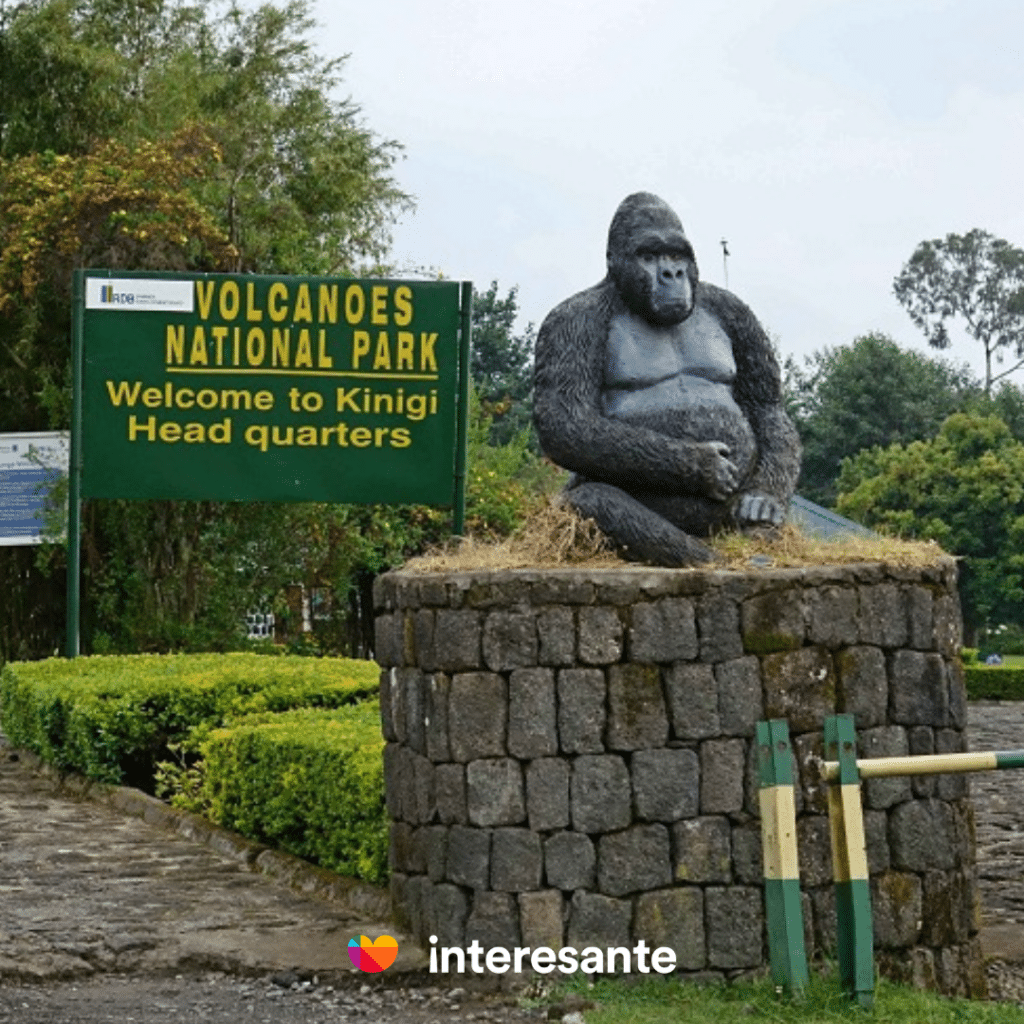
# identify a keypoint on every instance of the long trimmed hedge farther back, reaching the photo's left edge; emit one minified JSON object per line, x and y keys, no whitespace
{"x":112,"y":718}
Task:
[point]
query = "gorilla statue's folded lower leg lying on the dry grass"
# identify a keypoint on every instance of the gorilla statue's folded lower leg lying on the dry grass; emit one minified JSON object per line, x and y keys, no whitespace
{"x":642,"y":534}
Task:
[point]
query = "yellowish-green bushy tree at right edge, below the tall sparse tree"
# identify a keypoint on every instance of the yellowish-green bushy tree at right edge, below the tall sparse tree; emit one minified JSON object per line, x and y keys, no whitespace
{"x":965,"y":490}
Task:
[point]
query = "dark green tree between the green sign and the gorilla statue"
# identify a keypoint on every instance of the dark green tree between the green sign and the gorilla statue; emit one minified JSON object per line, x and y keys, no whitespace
{"x":502,"y":364}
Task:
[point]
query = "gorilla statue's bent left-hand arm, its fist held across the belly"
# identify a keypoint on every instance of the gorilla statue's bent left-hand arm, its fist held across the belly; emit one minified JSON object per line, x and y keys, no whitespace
{"x":576,"y":435}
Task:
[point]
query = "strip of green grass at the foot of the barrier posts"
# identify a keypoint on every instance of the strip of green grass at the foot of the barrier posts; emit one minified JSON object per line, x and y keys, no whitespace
{"x":666,"y":1002}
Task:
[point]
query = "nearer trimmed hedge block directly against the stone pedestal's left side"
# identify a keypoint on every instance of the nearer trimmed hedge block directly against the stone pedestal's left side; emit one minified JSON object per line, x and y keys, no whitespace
{"x":308,"y":782}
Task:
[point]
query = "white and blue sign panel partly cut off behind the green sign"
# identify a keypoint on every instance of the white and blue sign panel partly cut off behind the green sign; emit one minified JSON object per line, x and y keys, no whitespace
{"x":30,"y":463}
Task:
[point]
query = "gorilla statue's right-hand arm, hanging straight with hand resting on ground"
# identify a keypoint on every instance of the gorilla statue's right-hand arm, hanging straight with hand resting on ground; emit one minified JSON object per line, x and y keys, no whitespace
{"x":765,"y":495}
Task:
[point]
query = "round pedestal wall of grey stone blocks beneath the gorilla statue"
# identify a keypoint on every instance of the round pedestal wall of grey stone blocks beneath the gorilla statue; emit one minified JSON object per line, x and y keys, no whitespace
{"x":571,"y":757}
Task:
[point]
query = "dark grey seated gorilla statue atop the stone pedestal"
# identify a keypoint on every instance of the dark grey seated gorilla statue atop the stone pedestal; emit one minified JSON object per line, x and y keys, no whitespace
{"x":663,"y":396}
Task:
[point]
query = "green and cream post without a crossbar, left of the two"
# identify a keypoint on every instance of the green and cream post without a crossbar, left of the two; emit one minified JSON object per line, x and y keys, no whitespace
{"x":782,"y":870}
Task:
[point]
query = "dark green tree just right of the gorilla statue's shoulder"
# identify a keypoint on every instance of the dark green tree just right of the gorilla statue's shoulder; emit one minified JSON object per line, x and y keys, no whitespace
{"x":866,"y":395}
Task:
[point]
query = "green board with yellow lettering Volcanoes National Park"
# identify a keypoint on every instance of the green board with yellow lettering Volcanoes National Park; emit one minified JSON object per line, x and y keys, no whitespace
{"x":238,"y":388}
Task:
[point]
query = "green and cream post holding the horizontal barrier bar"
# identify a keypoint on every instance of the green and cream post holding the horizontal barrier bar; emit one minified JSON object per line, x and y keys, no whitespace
{"x":854,"y":895}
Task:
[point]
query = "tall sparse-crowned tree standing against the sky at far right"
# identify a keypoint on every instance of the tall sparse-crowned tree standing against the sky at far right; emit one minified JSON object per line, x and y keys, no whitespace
{"x":976,"y":278}
